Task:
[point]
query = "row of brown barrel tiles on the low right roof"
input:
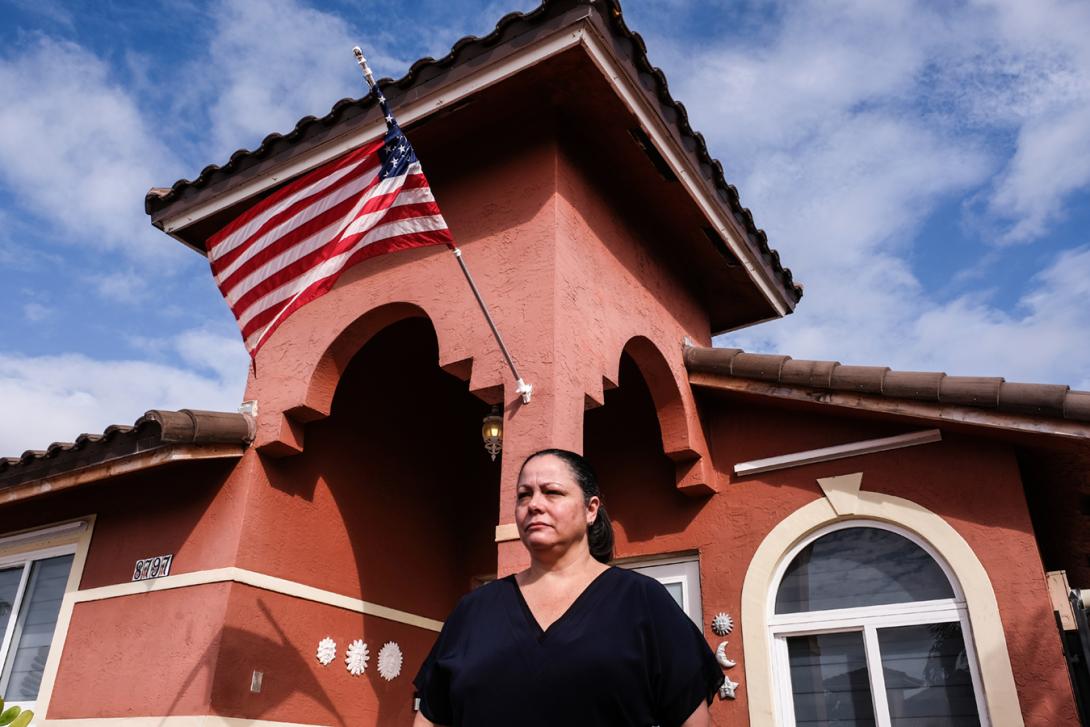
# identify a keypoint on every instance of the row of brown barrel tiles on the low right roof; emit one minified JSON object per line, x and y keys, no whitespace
{"x":1043,"y":401}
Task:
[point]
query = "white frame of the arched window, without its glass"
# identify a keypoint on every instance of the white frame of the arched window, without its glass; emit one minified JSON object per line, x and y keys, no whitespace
{"x":867,"y":621}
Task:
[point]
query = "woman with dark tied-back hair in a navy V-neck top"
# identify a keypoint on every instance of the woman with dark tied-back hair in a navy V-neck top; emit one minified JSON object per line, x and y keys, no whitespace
{"x":572,"y":640}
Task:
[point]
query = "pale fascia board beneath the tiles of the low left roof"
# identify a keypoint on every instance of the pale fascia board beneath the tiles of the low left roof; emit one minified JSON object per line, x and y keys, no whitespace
{"x":118,"y":467}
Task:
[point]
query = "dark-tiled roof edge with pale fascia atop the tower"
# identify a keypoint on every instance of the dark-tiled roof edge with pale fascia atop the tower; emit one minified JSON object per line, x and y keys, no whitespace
{"x":555,"y":29}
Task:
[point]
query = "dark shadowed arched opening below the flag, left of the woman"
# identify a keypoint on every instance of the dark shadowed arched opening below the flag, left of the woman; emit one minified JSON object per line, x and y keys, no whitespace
{"x":414,"y":483}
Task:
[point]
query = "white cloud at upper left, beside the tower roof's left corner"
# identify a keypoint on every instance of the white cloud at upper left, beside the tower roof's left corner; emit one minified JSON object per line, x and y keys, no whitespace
{"x":76,"y":150}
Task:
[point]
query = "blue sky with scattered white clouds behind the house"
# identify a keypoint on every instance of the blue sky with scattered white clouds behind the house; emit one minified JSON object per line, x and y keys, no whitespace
{"x":924,"y":167}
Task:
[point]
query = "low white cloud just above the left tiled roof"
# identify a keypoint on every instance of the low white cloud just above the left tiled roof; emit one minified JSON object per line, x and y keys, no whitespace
{"x":59,"y":397}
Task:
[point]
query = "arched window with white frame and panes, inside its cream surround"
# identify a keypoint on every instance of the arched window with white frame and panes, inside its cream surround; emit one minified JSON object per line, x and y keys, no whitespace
{"x":870,"y":628}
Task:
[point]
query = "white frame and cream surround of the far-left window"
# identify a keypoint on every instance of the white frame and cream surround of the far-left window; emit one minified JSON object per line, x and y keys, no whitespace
{"x":25,"y":549}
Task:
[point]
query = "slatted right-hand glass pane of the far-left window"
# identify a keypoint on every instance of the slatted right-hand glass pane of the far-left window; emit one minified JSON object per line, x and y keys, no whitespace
{"x":34,"y":631}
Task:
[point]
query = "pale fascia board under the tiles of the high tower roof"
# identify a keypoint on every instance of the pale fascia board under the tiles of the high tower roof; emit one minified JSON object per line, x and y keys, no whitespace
{"x":536,"y":53}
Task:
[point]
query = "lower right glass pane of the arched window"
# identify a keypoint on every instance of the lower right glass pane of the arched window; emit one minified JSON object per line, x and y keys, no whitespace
{"x":927,"y":674}
